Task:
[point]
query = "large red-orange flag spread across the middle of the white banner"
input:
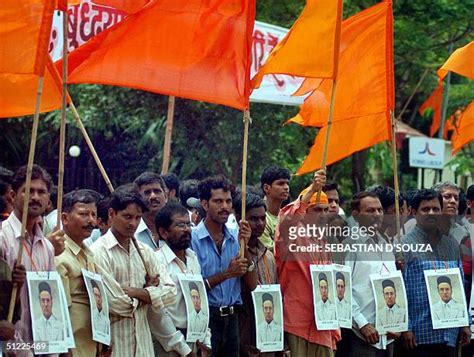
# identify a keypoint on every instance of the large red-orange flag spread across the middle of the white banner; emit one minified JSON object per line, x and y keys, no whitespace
{"x":192,"y":49}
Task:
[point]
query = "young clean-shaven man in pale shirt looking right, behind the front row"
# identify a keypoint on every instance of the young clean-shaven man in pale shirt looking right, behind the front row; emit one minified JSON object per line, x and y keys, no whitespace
{"x":275,"y":185}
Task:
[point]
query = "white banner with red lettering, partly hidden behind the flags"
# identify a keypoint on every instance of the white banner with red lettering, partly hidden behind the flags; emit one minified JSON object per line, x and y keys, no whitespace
{"x":88,"y":19}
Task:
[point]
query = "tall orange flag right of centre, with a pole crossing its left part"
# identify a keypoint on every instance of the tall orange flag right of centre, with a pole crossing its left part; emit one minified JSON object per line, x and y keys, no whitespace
{"x":365,"y":90}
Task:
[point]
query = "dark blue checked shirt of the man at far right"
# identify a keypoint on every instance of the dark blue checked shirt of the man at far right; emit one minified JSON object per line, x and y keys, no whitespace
{"x":445,"y":255}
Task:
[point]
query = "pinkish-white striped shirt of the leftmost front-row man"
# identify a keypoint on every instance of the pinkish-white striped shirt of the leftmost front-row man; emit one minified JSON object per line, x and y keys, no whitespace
{"x":38,"y":255}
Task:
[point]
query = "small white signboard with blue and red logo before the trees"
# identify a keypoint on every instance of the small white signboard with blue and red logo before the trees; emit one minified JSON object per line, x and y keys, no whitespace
{"x":426,"y":153}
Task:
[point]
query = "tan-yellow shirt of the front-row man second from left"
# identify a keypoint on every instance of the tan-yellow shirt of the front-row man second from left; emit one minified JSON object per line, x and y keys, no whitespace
{"x":69,"y":265}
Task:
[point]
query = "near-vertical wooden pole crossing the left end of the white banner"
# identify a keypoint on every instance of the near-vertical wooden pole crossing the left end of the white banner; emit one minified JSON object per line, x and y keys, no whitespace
{"x":62,"y":126}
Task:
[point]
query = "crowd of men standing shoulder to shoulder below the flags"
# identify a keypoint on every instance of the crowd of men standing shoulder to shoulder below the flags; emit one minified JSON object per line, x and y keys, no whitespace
{"x":140,"y":237}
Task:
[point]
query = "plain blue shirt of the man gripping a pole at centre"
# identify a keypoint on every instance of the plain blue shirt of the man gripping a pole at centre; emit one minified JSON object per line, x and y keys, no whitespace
{"x":226,"y":293}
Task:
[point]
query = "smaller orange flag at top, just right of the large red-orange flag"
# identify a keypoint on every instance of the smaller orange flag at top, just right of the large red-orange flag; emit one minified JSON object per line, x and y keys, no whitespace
{"x":311,"y":47}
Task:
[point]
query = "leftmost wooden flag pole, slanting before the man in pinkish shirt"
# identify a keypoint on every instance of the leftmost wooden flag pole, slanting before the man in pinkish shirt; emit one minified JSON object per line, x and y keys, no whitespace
{"x":26,"y":198}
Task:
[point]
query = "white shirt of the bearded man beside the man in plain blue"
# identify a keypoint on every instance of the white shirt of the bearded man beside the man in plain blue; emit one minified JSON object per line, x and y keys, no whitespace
{"x":165,"y":324}
